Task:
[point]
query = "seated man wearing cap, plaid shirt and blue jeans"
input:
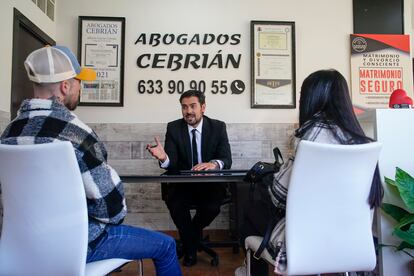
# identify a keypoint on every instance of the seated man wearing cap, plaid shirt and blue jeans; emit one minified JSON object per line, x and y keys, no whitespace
{"x":56,"y":77}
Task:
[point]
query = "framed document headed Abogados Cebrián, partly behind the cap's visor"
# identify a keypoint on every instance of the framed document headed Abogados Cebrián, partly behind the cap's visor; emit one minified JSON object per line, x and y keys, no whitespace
{"x":101,"y":47}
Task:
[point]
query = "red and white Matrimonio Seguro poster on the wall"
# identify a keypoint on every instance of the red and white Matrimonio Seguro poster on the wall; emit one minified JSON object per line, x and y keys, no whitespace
{"x":380,"y":64}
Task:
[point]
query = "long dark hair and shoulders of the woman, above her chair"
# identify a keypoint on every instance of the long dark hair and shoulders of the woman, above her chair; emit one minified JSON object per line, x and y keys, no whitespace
{"x":325,"y":104}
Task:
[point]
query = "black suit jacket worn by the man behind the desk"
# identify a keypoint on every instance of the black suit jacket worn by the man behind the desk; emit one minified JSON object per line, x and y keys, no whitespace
{"x":214,"y":144}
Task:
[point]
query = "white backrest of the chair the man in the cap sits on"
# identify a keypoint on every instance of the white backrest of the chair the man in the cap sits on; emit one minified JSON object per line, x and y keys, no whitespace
{"x":45,"y":223}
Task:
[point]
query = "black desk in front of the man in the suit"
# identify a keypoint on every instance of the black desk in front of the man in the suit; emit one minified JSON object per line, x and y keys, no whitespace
{"x":238,"y":188}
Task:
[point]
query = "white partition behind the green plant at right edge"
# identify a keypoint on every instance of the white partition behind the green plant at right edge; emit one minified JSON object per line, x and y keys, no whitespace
{"x":395,"y":152}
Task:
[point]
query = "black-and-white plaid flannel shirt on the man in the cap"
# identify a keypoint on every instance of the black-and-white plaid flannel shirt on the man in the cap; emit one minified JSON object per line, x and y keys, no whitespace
{"x":47,"y":121}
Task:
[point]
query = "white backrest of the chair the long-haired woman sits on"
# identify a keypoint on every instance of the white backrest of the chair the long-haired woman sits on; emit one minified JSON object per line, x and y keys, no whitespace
{"x":328,"y":218}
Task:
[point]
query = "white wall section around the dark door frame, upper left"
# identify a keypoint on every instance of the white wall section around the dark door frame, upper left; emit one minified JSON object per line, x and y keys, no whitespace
{"x":31,"y":11}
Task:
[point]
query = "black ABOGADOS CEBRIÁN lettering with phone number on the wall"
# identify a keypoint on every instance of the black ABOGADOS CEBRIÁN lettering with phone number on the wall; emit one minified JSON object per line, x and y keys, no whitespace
{"x":191,"y":61}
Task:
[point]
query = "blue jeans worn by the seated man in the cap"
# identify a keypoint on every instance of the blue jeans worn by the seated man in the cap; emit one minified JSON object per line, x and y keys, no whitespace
{"x":127,"y":242}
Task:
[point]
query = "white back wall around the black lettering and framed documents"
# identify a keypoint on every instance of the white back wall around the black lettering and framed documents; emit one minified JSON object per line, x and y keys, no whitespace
{"x":322,"y":38}
